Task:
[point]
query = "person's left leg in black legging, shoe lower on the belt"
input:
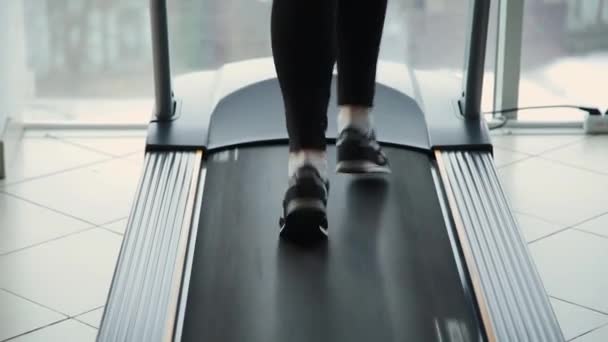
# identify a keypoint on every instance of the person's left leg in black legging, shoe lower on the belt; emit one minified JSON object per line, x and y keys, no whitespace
{"x":303,"y":37}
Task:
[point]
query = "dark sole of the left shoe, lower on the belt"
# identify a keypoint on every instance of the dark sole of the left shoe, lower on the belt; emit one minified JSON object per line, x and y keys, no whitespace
{"x":305,"y":222}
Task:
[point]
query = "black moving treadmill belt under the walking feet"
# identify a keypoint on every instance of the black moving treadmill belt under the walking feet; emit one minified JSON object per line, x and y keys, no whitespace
{"x":387,"y":272}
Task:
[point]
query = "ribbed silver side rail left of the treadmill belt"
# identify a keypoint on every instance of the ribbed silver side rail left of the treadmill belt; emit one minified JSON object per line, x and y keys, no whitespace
{"x":143,"y":301}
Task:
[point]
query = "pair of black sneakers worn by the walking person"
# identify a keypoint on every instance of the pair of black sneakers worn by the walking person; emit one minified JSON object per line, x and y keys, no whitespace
{"x":304,"y":205}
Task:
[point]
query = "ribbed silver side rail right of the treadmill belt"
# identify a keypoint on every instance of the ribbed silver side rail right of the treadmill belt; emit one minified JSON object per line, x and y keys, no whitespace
{"x":512,"y":300}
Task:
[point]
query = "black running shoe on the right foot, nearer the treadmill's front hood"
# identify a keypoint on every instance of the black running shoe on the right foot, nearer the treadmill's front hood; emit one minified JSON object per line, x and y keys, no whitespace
{"x":360,"y":153}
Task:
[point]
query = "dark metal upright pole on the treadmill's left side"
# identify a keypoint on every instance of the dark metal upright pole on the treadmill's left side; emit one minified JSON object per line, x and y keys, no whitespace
{"x":162,"y":67}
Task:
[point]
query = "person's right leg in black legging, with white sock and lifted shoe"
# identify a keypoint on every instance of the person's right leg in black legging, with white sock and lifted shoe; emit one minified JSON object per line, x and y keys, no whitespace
{"x":359,"y":32}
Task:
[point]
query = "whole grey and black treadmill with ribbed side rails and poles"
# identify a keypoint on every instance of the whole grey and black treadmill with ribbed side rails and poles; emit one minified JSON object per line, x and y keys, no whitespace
{"x":431,"y":252}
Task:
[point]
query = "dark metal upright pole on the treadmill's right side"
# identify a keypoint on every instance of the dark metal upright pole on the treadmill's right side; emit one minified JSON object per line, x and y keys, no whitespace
{"x":476,"y":59}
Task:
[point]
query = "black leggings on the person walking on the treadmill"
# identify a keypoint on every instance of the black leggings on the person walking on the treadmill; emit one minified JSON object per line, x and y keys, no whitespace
{"x":308,"y":37}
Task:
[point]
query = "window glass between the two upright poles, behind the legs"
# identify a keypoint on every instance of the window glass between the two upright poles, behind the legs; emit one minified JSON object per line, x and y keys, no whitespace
{"x":208,"y":33}
